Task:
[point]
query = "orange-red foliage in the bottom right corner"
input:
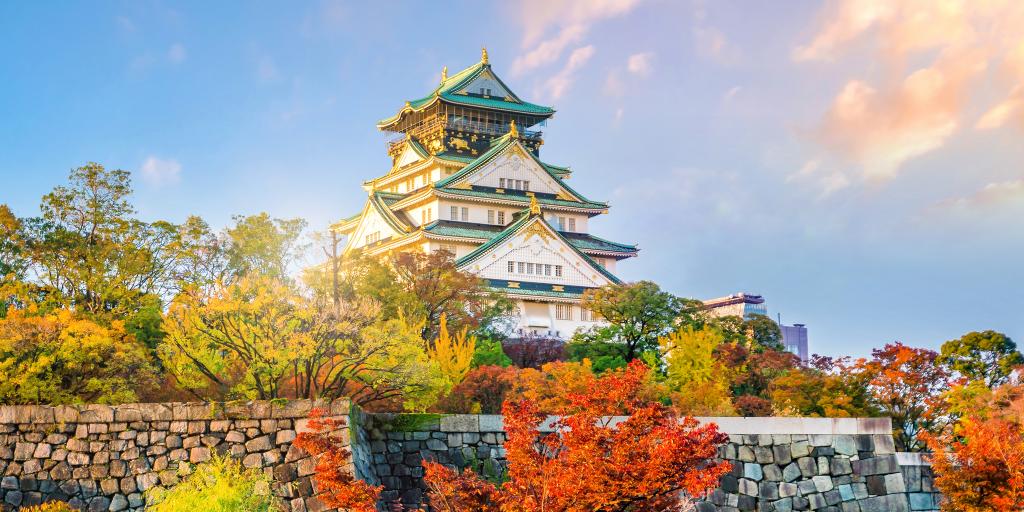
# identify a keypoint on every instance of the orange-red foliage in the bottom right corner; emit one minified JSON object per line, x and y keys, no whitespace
{"x":985,"y":471}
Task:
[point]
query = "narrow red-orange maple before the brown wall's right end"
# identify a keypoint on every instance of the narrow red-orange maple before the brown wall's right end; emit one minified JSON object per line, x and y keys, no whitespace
{"x":336,"y":486}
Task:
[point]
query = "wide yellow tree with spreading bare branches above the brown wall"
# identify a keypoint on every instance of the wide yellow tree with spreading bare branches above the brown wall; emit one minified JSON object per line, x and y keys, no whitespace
{"x":260,"y":338}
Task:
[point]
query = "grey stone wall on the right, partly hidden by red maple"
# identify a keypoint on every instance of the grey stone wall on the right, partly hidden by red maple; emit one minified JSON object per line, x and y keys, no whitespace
{"x":780,"y":464}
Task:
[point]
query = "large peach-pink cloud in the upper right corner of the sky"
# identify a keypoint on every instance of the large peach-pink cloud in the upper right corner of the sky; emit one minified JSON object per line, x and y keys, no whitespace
{"x":908,"y":112}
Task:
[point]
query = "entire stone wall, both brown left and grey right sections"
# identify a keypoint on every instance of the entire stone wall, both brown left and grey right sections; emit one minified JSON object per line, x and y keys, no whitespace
{"x":105,"y":458}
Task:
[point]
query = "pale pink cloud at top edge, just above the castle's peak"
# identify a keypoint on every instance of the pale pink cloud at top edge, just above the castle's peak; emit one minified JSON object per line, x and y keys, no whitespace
{"x":551,"y":27}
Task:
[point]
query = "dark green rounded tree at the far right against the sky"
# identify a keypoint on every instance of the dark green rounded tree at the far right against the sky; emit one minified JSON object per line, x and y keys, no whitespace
{"x":989,"y":357}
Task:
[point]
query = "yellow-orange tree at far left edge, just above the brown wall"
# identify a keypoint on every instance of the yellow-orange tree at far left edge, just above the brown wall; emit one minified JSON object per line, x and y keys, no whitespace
{"x":61,"y":358}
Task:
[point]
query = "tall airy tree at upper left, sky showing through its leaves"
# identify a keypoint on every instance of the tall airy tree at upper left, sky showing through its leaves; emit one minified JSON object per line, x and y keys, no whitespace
{"x":90,"y":251}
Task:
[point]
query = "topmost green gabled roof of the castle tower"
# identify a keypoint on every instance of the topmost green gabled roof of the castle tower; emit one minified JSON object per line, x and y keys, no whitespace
{"x":450,"y":91}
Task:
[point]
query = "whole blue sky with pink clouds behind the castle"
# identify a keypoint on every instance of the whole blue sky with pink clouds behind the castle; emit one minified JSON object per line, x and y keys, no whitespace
{"x":858,"y":162}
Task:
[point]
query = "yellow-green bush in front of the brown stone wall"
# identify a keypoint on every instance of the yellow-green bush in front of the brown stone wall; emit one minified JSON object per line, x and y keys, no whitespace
{"x":219,"y":486}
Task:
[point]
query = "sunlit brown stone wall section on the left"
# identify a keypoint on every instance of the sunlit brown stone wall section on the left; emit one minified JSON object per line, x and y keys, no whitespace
{"x":106,"y":458}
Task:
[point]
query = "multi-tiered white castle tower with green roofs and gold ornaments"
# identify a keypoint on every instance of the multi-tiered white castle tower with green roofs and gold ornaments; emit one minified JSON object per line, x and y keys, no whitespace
{"x":467,"y":178}
